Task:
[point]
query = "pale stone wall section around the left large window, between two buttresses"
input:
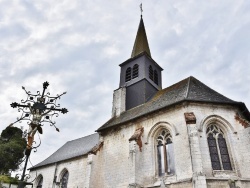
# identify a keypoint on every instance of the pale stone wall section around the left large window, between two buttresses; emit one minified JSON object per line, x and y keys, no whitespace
{"x":147,"y":170}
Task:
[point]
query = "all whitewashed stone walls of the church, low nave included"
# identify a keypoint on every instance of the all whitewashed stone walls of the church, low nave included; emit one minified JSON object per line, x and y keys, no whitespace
{"x":120,"y":164}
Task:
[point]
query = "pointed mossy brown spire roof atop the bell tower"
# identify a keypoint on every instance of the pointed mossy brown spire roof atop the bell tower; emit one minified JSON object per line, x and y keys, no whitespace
{"x":141,"y":41}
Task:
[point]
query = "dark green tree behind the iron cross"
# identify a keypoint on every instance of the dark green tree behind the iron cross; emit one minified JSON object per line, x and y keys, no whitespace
{"x":12,"y":146}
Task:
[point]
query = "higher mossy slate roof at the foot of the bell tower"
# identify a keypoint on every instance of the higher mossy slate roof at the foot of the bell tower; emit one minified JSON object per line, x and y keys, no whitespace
{"x":189,"y":89}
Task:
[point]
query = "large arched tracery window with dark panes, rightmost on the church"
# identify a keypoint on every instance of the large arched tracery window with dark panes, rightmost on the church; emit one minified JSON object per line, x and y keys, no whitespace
{"x":218,"y":148}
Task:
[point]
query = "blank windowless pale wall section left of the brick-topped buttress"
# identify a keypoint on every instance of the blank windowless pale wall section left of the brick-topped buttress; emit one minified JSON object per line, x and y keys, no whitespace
{"x":113,"y":160}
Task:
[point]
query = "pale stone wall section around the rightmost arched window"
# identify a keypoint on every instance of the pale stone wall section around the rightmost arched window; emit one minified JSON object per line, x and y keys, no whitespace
{"x":238,"y":143}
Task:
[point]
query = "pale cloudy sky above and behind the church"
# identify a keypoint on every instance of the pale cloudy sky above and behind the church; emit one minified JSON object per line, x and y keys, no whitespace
{"x":77,"y":46}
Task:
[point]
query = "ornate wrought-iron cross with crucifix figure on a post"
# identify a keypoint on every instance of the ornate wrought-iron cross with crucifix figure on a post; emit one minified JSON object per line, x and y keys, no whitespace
{"x":37,"y":109}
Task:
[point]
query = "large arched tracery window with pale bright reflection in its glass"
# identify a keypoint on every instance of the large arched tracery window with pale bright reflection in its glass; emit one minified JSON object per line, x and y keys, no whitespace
{"x":165,"y":153}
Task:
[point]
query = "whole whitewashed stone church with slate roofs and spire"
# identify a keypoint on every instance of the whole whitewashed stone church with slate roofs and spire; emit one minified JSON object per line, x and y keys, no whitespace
{"x":184,"y":136}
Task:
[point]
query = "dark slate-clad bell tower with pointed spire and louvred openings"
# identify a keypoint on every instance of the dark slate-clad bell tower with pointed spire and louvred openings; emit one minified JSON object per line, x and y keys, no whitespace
{"x":140,"y":76}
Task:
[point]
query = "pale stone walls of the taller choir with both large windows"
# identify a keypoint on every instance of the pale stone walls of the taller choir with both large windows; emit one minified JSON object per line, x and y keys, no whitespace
{"x":116,"y":158}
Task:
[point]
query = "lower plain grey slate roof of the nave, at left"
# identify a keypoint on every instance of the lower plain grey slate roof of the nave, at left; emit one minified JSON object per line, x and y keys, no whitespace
{"x":71,"y":149}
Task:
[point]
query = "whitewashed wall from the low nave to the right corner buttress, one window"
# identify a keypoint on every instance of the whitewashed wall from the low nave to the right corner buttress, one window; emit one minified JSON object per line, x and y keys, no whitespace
{"x":124,"y":165}
